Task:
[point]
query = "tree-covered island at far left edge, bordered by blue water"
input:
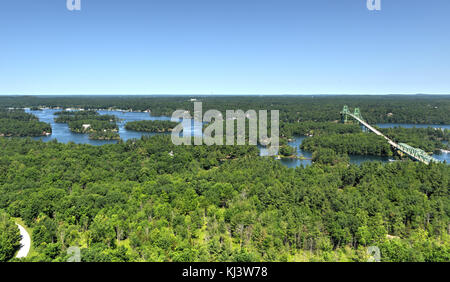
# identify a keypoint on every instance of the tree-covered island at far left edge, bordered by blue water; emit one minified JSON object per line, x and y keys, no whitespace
{"x":18,"y":123}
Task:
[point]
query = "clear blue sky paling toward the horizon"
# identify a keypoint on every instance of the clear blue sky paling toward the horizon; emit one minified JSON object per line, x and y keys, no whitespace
{"x":224,"y":47}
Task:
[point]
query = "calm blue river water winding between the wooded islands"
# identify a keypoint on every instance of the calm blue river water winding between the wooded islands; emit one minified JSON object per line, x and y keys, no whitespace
{"x":62,"y":133}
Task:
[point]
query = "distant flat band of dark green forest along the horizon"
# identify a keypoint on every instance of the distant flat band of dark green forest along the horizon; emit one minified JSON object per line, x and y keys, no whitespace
{"x":423,"y":109}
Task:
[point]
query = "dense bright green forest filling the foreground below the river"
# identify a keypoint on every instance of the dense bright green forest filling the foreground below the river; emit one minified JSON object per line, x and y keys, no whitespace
{"x":148,"y":200}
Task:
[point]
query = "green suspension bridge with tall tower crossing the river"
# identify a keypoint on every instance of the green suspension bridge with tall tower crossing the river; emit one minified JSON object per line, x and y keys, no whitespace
{"x":414,"y":153}
